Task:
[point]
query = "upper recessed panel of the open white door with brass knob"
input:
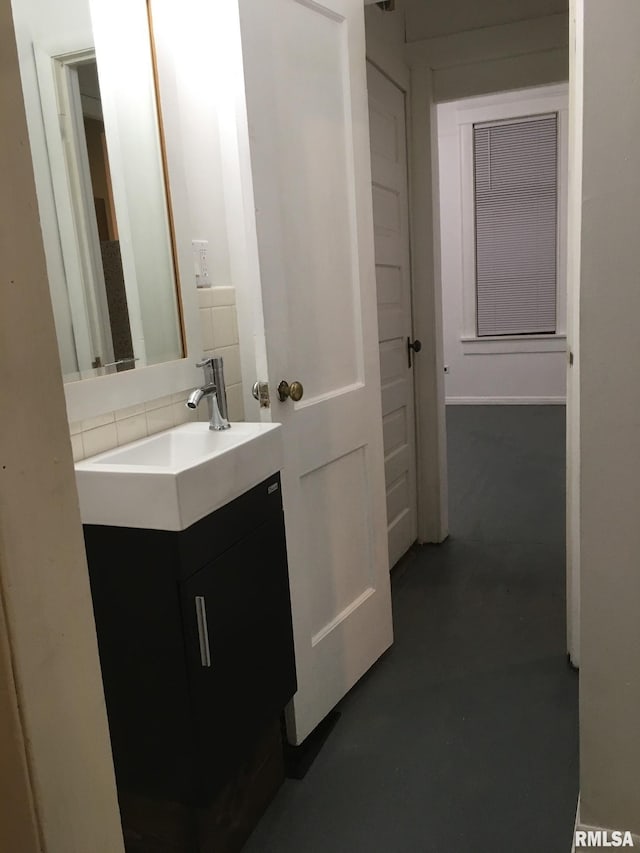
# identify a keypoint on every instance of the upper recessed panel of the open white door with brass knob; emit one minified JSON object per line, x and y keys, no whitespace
{"x":317,"y":207}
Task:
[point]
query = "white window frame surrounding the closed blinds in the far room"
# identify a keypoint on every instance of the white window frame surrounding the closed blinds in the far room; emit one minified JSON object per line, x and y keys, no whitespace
{"x":497,"y":108}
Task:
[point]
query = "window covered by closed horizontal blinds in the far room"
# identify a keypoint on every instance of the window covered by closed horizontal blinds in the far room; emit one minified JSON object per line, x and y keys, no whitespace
{"x":516,"y":202}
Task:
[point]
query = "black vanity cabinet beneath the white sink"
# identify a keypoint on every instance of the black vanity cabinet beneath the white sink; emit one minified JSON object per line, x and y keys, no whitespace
{"x":196,"y":648}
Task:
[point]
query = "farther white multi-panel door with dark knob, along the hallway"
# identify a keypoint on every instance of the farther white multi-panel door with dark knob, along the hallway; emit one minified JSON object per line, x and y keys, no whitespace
{"x":391,"y":229}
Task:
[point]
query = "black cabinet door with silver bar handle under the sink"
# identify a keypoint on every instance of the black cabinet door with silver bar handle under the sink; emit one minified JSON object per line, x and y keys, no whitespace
{"x":239,"y":647}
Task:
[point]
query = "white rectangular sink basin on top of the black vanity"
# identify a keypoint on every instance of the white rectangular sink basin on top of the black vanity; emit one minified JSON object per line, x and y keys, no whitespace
{"x":170,"y":480}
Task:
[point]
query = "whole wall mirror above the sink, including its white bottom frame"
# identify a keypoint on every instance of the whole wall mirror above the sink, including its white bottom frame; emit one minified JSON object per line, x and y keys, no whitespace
{"x":125,"y":327}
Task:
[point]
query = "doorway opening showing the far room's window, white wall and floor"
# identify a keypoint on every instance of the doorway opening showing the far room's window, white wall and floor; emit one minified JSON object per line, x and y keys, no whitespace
{"x":502,"y":172}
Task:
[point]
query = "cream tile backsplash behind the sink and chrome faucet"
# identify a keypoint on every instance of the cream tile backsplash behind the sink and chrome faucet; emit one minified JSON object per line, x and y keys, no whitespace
{"x":219,"y":337}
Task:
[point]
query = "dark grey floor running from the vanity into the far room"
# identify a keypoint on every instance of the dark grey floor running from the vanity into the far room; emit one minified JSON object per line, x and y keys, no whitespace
{"x":463,"y":738}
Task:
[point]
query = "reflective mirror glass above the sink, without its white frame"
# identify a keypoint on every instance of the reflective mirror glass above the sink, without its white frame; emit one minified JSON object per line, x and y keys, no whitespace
{"x":112,"y":272}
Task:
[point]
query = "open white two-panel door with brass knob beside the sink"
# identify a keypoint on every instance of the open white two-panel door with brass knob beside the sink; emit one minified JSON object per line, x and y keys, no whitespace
{"x":304,"y":70}
